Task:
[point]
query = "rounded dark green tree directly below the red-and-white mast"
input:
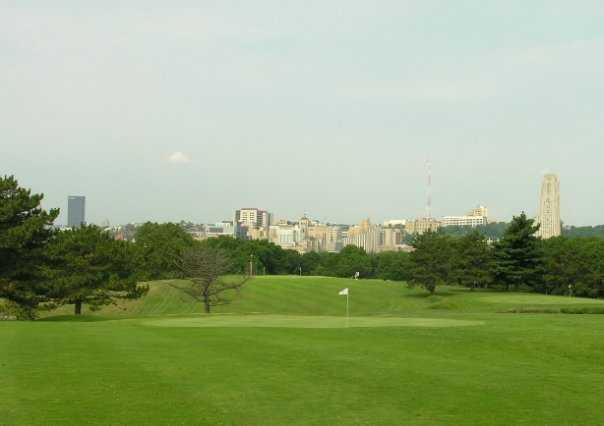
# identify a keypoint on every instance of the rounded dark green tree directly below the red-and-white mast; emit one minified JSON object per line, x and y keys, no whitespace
{"x":431,"y":260}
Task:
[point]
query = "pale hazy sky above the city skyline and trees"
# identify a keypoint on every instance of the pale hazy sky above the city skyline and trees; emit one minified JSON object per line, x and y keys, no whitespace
{"x":187,"y":110}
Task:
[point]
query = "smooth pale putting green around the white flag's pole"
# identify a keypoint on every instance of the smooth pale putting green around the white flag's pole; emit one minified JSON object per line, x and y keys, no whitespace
{"x":300,"y":321}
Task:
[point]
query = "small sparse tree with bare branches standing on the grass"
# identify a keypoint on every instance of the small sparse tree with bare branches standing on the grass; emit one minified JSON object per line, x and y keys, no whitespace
{"x":206,"y":267}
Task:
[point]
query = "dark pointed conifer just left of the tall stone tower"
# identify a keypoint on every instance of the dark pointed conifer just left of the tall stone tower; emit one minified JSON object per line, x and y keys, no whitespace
{"x":518,"y":257}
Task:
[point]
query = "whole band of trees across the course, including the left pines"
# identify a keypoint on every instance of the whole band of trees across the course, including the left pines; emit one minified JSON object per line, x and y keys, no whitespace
{"x":40,"y":265}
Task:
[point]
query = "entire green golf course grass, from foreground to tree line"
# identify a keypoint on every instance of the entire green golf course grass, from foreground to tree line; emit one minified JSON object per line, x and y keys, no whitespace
{"x":280,"y":353}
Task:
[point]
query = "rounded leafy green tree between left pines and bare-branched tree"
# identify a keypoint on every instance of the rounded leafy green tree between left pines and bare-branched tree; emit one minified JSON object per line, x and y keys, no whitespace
{"x":158,"y":245}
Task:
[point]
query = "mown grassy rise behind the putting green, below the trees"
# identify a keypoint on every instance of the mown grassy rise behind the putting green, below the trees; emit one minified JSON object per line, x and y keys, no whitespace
{"x":319,"y":296}
